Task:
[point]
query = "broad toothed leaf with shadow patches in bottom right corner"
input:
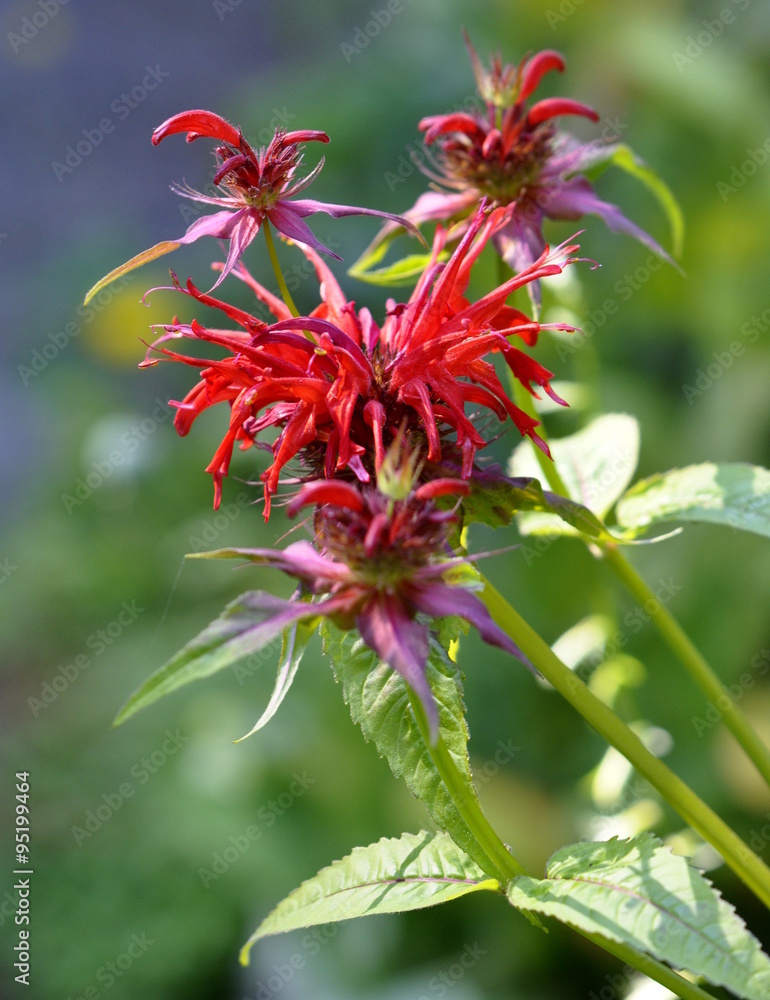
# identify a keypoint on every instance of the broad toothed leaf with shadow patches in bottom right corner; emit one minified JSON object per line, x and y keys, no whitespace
{"x":638,"y":893}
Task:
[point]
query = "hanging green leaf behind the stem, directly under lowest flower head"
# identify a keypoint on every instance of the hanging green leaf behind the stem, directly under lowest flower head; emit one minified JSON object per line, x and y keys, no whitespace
{"x":379,"y":702}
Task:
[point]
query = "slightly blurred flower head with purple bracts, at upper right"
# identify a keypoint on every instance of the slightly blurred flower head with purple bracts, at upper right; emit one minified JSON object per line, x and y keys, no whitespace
{"x":512,"y":153}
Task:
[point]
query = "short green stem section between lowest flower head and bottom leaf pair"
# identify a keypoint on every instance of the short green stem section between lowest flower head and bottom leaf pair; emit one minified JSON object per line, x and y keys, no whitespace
{"x":503,"y":866}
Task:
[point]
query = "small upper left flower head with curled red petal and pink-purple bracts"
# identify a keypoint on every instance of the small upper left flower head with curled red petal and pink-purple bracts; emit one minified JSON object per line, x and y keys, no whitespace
{"x":257,"y":186}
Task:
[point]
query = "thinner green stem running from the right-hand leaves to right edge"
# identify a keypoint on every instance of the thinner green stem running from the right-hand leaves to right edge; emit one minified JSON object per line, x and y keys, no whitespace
{"x":693,"y":661}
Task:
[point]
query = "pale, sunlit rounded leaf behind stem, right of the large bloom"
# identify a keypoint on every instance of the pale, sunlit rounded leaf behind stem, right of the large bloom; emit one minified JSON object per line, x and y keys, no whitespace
{"x":596,"y":464}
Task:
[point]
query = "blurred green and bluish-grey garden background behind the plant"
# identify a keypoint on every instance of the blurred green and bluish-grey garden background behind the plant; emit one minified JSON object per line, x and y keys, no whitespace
{"x":128,"y":898}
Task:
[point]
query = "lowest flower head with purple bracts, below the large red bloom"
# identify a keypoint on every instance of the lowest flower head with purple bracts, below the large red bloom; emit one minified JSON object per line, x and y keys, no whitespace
{"x":378,"y":562}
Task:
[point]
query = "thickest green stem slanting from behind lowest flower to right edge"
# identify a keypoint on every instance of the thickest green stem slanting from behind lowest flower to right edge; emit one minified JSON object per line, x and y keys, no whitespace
{"x":680,"y":797}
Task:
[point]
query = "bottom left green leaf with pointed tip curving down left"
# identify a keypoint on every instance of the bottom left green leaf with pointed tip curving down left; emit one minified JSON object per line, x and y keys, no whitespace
{"x":395,"y":874}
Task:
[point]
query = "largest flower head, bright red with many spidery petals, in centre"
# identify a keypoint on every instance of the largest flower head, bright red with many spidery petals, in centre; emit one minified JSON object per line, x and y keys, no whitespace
{"x":339,"y":388}
